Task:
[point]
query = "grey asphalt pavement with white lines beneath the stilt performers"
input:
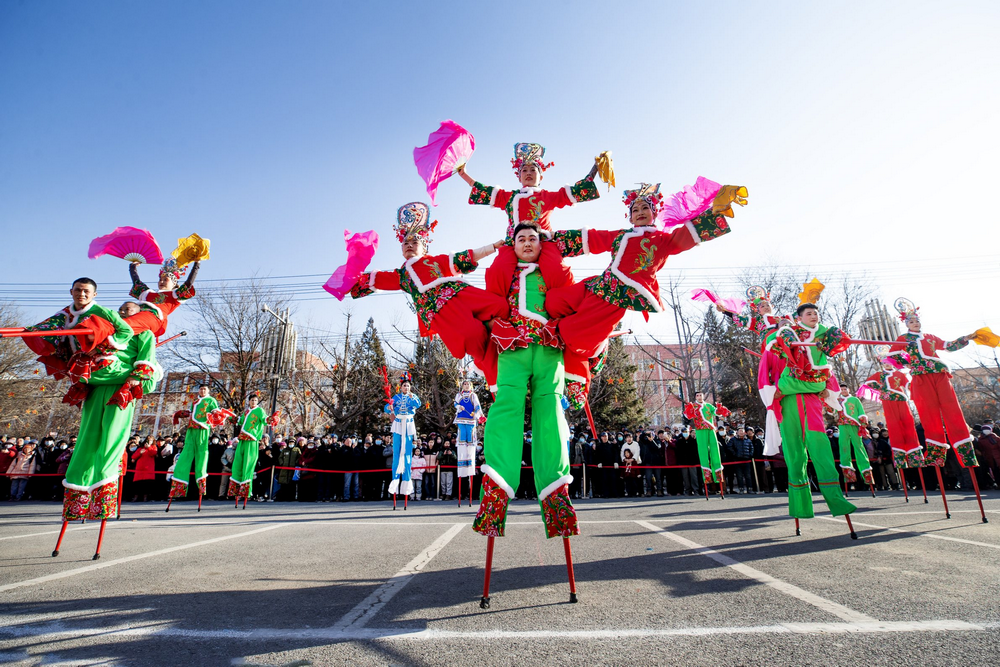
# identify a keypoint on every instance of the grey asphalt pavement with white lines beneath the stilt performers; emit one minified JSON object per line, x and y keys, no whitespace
{"x":660,"y":581}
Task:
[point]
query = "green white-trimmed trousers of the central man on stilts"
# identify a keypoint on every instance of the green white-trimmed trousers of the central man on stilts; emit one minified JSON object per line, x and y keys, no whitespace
{"x":540,"y":369}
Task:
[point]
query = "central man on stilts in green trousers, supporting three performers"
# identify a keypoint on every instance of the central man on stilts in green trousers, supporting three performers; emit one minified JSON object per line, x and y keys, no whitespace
{"x":530,"y":359}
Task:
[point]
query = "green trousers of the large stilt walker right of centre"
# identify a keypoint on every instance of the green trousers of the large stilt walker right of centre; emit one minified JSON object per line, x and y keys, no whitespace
{"x":802,"y":435}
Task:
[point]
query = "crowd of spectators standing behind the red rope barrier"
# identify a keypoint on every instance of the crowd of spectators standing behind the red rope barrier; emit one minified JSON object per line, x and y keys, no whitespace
{"x":630,"y":463}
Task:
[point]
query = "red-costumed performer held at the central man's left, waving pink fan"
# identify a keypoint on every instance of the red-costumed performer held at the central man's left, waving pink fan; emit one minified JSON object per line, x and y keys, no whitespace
{"x":446,"y":305}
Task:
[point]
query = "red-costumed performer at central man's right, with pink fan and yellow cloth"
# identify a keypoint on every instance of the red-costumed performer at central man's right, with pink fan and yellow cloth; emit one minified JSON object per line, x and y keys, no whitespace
{"x":589,"y":311}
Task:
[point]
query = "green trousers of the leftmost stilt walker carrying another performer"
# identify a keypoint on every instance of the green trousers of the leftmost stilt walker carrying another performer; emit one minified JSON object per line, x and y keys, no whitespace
{"x":104,"y":431}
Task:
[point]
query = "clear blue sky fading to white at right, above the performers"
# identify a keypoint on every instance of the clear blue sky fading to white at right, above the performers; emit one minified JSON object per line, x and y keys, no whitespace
{"x":865,"y":132}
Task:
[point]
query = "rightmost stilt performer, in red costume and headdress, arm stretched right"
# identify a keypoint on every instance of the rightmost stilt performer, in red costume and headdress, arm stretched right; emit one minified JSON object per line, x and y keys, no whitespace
{"x":933,"y":394}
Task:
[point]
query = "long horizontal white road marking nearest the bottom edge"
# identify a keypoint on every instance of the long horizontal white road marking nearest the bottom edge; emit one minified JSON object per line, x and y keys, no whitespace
{"x":59,"y":631}
